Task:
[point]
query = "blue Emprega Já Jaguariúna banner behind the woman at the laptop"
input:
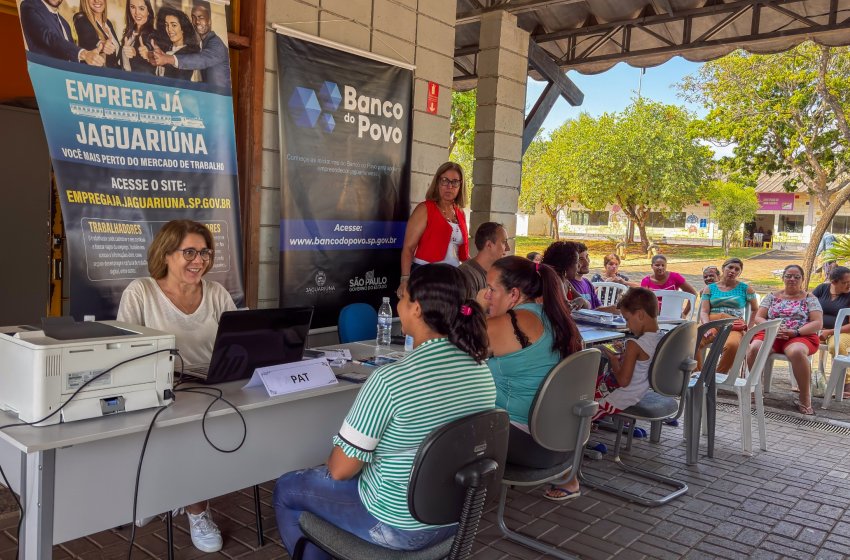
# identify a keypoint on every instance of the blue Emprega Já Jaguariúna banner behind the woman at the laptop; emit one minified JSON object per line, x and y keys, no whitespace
{"x":136,"y":104}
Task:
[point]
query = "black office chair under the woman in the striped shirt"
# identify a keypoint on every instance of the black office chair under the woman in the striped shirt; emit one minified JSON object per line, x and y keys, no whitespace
{"x":453,"y":470}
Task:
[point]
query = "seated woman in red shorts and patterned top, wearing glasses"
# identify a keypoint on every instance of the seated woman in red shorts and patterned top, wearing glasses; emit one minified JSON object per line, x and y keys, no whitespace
{"x":802,"y":318}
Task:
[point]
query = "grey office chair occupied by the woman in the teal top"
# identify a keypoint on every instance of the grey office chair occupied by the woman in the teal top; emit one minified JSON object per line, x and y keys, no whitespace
{"x":559,"y":420}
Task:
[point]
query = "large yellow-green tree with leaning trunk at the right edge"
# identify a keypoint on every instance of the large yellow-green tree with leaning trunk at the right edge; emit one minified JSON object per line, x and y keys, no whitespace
{"x":786,"y":113}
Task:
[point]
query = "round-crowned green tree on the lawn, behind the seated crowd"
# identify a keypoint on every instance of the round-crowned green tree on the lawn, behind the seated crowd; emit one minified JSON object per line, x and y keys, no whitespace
{"x":643,"y":159}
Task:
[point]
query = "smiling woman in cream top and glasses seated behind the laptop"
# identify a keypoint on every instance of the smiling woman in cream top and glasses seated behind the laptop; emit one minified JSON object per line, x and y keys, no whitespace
{"x":177,"y":299}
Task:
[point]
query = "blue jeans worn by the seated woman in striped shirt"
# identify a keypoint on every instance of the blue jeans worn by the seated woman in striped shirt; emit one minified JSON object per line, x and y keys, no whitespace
{"x":338,"y":502}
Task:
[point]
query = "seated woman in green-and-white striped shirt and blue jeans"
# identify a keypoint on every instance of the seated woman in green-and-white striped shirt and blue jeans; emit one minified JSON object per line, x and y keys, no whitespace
{"x":363,"y":487}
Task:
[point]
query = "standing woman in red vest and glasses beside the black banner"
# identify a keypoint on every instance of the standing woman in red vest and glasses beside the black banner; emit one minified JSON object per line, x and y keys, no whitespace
{"x":436,"y":231}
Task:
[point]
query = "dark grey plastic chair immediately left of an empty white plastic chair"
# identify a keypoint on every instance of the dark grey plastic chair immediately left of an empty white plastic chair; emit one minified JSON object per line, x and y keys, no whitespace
{"x":697,"y":391}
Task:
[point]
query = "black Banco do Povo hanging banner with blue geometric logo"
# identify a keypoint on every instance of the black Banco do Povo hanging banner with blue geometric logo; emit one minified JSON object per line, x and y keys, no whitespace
{"x":345,"y":123}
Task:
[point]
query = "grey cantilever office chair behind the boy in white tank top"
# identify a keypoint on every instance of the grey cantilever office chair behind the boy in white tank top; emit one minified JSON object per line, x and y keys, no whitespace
{"x":669,"y":374}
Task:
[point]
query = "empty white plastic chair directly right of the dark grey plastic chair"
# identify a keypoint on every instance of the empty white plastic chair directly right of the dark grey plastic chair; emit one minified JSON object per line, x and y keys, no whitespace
{"x":750,"y":383}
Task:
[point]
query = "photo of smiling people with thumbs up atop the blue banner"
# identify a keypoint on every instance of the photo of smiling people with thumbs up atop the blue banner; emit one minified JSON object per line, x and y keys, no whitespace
{"x":176,"y":39}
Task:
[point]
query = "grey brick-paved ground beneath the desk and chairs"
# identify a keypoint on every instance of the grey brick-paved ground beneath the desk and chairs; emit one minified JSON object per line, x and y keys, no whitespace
{"x":788,"y":502}
